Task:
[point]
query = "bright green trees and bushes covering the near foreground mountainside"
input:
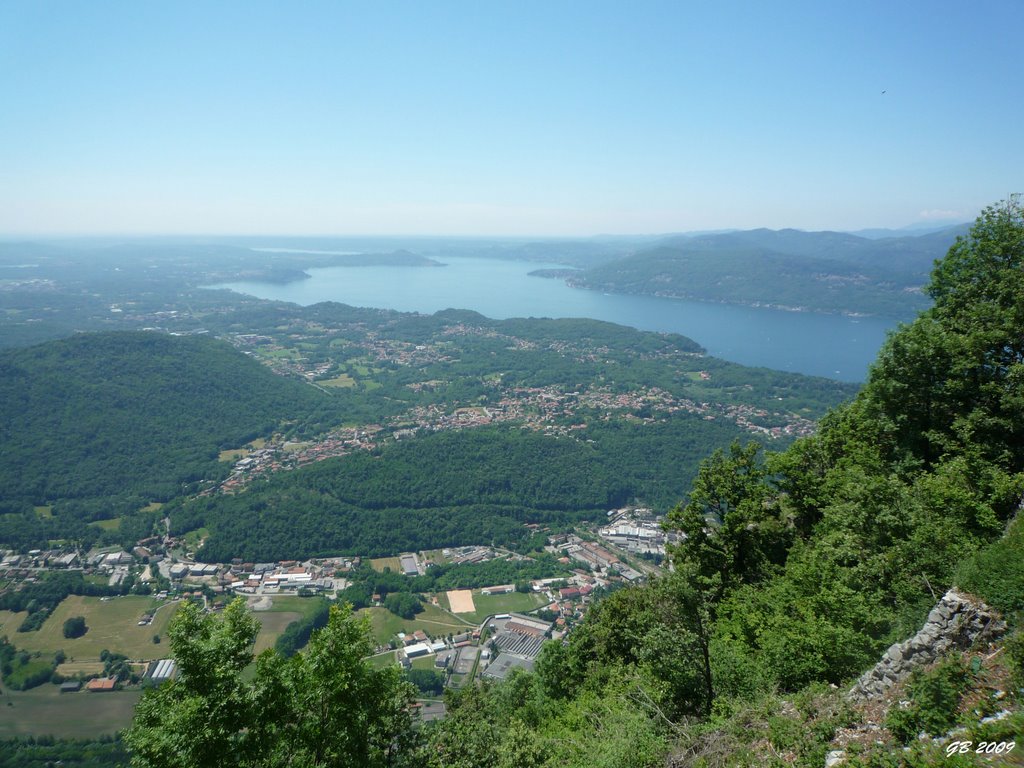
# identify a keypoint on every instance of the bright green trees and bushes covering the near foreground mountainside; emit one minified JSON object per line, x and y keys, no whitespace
{"x":798,"y":570}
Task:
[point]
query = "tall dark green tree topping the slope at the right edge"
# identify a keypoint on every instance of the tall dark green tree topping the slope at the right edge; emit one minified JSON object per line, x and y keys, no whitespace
{"x":957,"y":374}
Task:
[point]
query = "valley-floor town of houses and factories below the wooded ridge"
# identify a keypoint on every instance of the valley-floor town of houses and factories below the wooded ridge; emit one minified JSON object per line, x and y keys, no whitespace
{"x":474,"y":646}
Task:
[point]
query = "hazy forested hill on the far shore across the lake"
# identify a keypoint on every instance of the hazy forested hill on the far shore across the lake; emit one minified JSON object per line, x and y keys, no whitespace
{"x":818,"y":272}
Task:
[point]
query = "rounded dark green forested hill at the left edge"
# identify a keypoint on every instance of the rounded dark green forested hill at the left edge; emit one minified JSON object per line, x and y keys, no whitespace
{"x":118,"y":415}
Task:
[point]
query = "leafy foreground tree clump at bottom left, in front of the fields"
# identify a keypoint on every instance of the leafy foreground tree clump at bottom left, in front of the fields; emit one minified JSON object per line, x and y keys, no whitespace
{"x":325,"y":707}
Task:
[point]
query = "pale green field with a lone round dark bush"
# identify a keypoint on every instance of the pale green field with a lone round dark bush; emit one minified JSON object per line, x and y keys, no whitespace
{"x":113,"y":625}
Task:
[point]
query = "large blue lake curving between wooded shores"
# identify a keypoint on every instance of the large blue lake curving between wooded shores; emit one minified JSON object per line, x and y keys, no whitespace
{"x":834,"y":347}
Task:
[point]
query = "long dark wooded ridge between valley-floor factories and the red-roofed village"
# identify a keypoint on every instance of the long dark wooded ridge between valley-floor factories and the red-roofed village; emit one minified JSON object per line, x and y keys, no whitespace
{"x":449,"y":489}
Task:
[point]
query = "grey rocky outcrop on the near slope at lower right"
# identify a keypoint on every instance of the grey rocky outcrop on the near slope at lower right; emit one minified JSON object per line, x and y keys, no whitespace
{"x":957,"y":623}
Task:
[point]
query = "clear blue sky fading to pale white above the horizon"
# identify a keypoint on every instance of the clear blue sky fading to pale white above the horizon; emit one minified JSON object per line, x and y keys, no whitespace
{"x":526,"y":118}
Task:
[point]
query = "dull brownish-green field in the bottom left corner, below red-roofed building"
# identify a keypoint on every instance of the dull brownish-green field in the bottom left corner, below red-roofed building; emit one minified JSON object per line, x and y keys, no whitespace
{"x":45,"y":711}
